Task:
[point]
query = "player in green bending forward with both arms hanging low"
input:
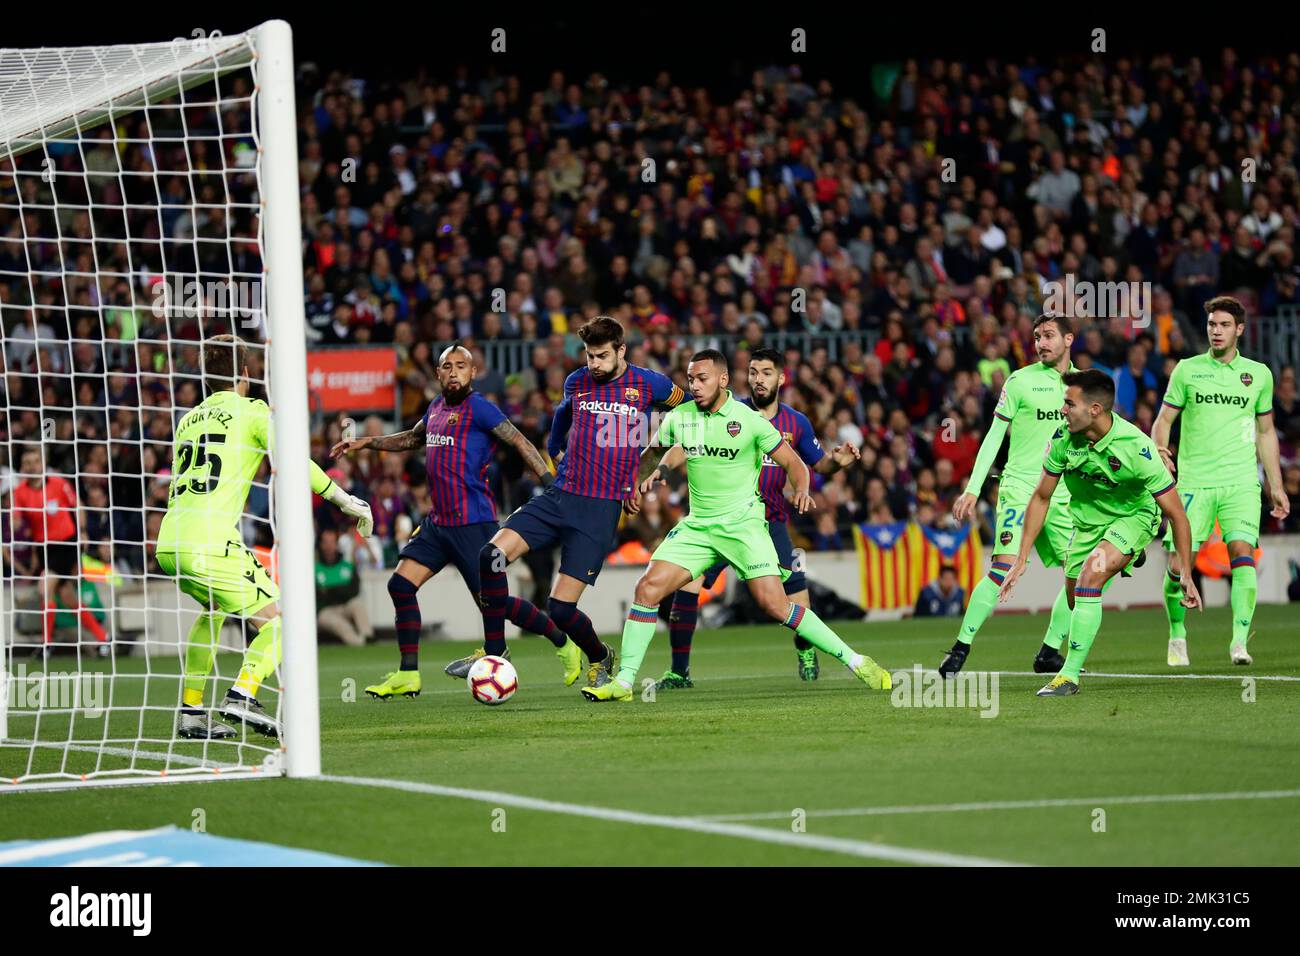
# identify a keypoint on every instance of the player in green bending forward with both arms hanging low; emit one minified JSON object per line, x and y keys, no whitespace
{"x":1119,"y":488}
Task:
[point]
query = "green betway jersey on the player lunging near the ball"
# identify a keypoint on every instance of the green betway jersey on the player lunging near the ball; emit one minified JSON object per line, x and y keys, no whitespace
{"x":725,"y":453}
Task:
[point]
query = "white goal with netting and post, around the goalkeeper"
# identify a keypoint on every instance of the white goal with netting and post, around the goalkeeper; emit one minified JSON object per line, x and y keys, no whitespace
{"x":149,"y":201}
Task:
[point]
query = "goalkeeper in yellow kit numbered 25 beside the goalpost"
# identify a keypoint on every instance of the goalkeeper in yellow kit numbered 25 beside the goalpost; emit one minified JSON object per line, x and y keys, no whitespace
{"x":219,"y":449}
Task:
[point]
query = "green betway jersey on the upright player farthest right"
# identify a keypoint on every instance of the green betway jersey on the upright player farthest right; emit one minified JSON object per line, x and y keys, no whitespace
{"x":1219,"y":403}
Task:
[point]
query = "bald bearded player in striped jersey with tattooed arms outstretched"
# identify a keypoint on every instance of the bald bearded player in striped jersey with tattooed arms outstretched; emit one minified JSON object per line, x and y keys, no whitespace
{"x":458,"y":432}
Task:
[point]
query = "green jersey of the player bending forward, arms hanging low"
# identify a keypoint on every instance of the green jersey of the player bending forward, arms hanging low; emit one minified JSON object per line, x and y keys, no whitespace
{"x":1119,"y":477}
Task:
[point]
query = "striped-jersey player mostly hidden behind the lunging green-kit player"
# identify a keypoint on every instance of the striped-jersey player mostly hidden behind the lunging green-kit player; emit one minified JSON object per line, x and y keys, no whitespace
{"x":766,"y":380}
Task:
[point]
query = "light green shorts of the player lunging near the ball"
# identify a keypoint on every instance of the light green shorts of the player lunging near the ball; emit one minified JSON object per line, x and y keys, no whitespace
{"x":740,"y":539}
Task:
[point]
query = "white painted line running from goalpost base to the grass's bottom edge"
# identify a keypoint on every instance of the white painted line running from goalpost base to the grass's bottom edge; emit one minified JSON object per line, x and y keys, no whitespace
{"x":833,"y":845}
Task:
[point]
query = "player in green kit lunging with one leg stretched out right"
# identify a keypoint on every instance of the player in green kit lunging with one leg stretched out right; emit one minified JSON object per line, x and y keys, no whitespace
{"x":725,"y":442}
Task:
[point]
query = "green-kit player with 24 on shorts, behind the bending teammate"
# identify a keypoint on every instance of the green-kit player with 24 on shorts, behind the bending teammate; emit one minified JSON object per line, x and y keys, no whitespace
{"x":1030,"y":408}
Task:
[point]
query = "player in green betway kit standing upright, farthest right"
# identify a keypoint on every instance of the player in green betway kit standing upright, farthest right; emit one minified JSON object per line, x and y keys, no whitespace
{"x":1227,"y":405}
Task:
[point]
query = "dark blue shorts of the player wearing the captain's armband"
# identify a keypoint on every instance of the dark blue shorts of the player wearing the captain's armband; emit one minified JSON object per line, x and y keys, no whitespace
{"x":584,"y":527}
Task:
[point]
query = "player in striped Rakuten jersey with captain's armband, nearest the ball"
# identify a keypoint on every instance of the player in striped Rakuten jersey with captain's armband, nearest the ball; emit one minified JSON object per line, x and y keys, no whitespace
{"x":597,"y":435}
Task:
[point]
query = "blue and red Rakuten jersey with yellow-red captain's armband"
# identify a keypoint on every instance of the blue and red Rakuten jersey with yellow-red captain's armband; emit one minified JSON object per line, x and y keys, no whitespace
{"x":605,"y":427}
